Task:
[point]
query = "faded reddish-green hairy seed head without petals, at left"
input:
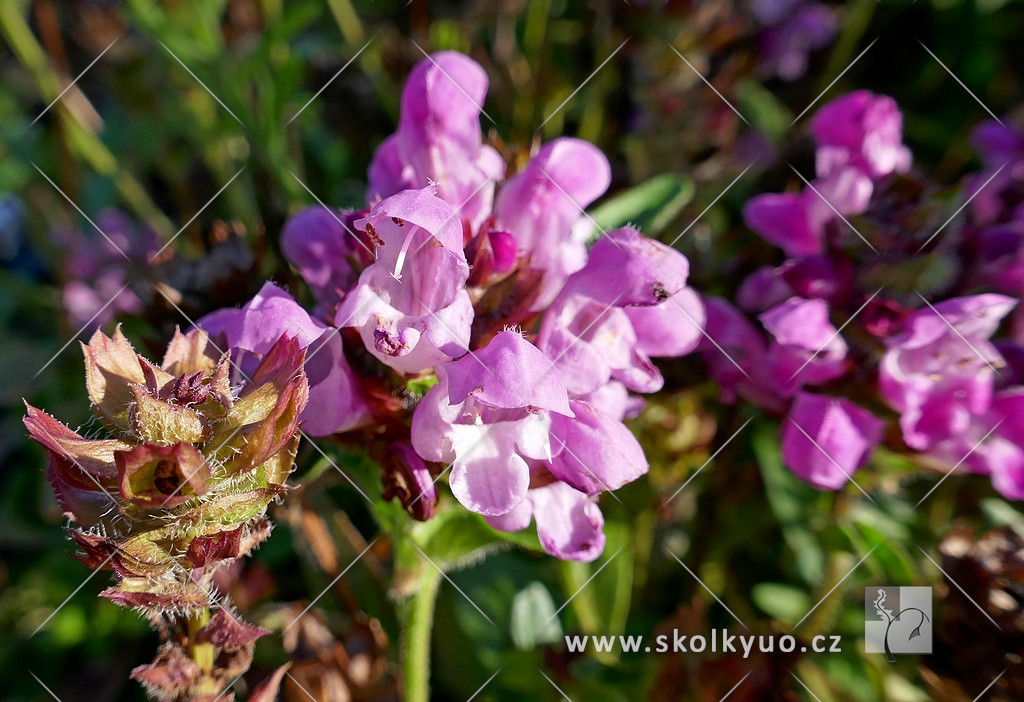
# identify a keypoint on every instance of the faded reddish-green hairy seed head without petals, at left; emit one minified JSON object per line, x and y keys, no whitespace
{"x":179,"y":491}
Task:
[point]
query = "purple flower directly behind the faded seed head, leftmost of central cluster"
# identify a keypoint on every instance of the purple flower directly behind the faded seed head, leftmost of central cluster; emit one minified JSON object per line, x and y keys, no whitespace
{"x":336,"y":404}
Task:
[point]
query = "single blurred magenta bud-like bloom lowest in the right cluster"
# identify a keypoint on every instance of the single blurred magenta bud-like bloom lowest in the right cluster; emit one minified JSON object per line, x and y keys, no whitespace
{"x":827,"y":440}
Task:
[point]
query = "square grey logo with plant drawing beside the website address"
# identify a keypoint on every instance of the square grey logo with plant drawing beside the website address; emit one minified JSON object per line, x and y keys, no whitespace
{"x":898,"y":621}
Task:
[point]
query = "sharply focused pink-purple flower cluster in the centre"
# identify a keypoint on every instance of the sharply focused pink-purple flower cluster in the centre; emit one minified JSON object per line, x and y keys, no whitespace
{"x":481,"y":288}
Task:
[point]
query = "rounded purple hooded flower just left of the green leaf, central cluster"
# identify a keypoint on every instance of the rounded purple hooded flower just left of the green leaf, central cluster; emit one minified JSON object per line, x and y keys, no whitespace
{"x":543,"y":208}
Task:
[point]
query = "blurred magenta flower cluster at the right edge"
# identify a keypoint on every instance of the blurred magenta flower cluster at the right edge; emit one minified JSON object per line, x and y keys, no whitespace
{"x":932,"y":364}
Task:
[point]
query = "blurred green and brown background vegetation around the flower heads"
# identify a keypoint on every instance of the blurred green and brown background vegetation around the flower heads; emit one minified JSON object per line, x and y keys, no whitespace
{"x":189,"y":130}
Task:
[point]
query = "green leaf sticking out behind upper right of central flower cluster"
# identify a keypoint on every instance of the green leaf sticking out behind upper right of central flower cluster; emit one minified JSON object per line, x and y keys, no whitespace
{"x":651,"y":206}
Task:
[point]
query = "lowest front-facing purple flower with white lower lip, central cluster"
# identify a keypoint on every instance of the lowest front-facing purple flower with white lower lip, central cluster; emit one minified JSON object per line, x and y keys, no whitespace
{"x":490,"y":414}
